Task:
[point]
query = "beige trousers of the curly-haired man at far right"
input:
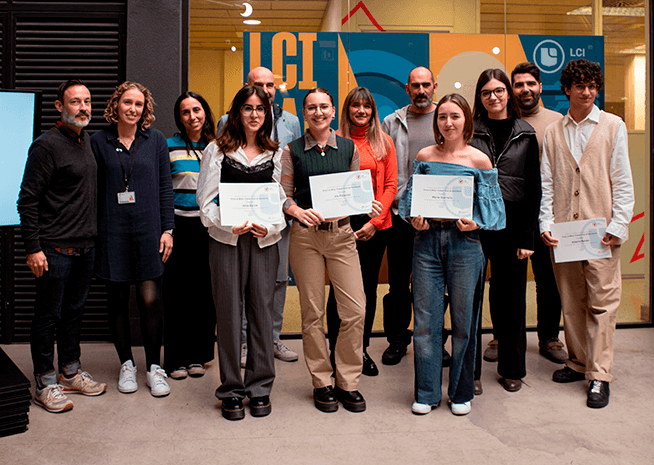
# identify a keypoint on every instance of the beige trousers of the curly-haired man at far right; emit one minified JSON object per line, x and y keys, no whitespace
{"x":590,"y":296}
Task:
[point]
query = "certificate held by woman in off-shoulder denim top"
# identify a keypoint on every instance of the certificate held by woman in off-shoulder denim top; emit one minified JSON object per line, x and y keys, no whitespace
{"x":438,"y":196}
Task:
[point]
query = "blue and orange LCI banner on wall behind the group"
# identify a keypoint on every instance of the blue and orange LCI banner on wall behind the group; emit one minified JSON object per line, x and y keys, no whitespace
{"x":382,"y":62}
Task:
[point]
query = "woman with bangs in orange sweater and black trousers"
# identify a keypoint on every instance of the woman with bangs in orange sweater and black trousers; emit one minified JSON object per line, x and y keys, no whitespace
{"x":360,"y":122}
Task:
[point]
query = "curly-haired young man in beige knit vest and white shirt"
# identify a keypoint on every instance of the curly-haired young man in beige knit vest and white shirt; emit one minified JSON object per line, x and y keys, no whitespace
{"x":586,"y":174}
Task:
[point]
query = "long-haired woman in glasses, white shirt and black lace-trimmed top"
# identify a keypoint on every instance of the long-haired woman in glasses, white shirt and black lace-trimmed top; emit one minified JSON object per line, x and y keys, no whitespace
{"x":243,"y":259}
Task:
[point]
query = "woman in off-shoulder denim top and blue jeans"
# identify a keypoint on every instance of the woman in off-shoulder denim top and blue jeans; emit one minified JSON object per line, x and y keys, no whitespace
{"x":447,"y":254}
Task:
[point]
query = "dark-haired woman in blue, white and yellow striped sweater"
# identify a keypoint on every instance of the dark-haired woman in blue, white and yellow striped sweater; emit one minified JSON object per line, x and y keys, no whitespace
{"x":190,"y":318}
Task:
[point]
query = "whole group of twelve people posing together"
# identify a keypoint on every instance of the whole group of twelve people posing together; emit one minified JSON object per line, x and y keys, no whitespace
{"x":111,"y":204}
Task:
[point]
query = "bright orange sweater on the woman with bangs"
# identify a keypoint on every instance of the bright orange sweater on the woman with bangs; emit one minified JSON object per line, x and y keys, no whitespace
{"x":383,"y":173}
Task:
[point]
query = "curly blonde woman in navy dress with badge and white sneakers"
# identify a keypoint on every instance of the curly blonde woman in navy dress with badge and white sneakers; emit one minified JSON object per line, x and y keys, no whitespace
{"x":135,"y":226}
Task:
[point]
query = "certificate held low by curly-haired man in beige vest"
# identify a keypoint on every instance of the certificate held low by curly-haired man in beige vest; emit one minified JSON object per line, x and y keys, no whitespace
{"x":580,"y":240}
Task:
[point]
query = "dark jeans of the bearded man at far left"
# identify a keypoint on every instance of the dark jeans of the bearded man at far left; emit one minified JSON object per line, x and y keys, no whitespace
{"x":60,"y":296}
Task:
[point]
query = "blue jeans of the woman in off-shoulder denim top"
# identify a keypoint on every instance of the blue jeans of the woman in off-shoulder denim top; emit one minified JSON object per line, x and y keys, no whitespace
{"x":445,"y":258}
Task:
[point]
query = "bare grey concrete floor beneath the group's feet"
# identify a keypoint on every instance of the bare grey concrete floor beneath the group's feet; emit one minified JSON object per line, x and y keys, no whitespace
{"x":544,"y":423}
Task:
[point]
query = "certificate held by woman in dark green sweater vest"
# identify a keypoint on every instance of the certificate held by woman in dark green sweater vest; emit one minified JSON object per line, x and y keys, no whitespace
{"x":342,"y":194}
